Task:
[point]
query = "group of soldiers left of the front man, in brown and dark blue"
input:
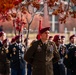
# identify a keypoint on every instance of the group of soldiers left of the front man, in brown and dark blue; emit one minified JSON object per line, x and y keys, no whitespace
{"x":11,"y":56}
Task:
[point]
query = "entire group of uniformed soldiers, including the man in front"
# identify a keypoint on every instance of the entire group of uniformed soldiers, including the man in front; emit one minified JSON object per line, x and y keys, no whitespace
{"x":44,"y":56}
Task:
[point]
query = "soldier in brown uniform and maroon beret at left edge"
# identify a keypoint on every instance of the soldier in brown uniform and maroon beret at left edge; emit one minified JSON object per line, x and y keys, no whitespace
{"x":4,"y":62}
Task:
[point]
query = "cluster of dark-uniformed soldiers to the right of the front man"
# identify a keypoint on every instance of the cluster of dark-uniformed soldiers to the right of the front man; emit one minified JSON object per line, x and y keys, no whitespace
{"x":67,"y":63}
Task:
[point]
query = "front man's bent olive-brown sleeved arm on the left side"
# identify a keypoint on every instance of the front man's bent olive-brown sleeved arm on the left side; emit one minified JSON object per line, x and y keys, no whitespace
{"x":29,"y":55}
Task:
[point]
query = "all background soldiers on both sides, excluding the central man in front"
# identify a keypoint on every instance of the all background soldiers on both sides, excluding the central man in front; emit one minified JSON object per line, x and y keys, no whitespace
{"x":12,"y":55}
